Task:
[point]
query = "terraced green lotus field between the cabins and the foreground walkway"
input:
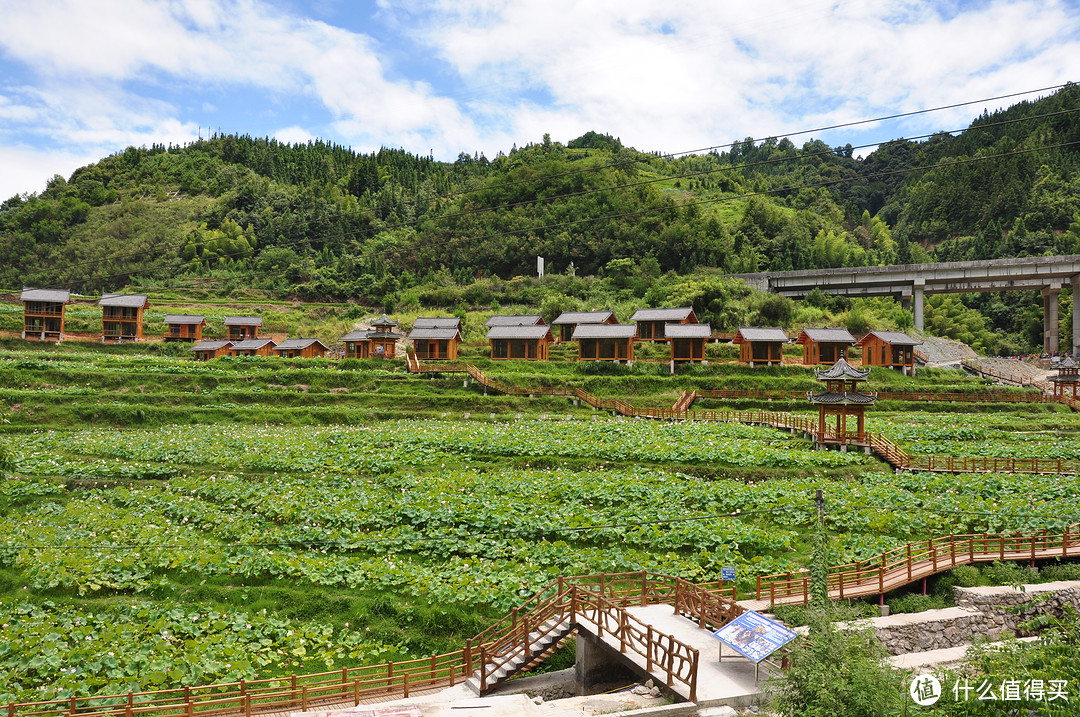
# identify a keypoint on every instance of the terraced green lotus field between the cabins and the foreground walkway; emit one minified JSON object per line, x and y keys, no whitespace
{"x":136,"y":558}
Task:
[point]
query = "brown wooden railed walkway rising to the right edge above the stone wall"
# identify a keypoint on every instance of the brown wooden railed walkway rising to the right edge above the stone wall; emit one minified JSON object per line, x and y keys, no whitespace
{"x":913,"y":562}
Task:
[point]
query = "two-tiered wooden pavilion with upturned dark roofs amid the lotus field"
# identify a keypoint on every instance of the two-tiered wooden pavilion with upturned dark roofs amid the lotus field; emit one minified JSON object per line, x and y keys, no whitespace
{"x":842,"y":400}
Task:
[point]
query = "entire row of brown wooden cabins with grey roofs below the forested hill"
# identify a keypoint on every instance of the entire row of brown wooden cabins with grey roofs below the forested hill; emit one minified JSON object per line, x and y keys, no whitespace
{"x":599,"y":335}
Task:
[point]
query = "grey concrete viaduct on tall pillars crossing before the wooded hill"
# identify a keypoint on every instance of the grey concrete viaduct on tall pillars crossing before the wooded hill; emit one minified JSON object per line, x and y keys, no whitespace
{"x":912,"y":282}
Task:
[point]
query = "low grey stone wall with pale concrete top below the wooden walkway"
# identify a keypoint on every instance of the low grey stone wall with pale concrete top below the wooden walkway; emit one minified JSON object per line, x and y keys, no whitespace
{"x":980,"y":613}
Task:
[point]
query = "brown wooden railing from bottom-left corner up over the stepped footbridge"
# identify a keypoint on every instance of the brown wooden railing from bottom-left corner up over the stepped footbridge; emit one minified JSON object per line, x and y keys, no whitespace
{"x":600,"y":598}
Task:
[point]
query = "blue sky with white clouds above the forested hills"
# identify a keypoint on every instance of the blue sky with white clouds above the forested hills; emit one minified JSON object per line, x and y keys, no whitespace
{"x":83,"y":79}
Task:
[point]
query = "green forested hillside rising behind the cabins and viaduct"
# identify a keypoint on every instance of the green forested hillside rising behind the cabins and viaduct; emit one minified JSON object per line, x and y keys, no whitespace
{"x":319,"y":221}
